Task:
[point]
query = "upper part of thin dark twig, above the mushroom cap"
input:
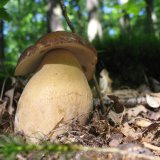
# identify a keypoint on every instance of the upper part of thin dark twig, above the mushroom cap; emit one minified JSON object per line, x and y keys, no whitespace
{"x":64,"y":11}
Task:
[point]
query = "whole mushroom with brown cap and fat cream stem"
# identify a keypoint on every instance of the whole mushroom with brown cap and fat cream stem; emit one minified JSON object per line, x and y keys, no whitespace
{"x":58,"y":92}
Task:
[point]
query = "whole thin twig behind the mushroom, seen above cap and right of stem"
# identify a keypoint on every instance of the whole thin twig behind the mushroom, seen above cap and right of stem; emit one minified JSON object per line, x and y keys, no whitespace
{"x":64,"y":11}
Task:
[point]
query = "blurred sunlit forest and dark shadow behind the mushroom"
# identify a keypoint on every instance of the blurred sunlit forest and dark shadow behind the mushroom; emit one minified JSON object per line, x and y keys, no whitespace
{"x":126,"y":33}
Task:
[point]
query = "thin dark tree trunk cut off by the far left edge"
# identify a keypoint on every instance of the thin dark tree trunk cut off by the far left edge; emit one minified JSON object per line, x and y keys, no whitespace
{"x":1,"y":43}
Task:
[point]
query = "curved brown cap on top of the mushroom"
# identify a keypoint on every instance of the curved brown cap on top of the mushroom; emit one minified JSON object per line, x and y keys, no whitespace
{"x":83,"y":51}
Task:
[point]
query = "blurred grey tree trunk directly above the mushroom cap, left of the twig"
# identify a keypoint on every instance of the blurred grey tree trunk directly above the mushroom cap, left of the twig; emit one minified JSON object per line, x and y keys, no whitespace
{"x":54,"y":15}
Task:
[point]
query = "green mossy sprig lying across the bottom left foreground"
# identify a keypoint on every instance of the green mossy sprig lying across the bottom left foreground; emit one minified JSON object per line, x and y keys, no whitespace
{"x":11,"y":145}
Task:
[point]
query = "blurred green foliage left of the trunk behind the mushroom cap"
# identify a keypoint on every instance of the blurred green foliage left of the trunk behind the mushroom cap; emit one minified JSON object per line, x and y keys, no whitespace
{"x":27,"y":25}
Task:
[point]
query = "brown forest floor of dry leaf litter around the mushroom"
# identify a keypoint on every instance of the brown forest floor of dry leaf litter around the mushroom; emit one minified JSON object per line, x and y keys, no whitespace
{"x":128,"y":129}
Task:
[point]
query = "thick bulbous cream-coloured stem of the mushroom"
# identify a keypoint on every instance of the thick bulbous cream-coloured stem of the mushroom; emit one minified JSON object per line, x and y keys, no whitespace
{"x":56,"y":94}
